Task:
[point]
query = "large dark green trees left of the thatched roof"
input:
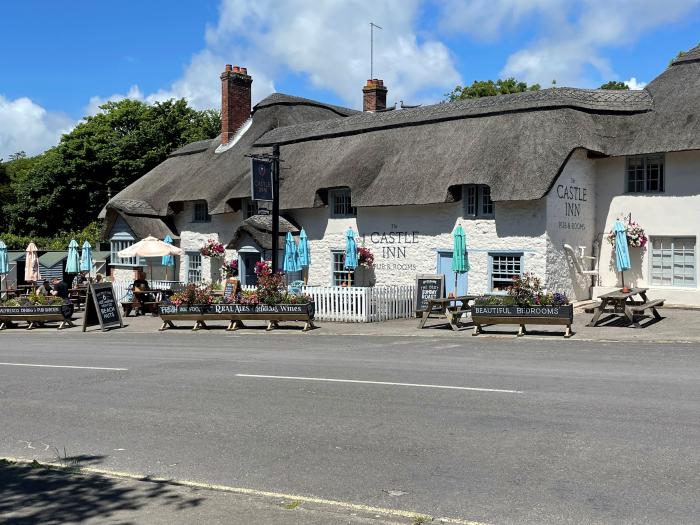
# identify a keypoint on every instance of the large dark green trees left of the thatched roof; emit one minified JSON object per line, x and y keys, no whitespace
{"x":66,"y":187}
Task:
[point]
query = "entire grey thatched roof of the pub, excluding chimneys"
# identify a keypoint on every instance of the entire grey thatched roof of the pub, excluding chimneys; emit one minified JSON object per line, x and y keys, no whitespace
{"x":517,"y":144}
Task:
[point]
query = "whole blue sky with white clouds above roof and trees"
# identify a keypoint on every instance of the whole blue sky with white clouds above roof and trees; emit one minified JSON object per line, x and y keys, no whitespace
{"x":60,"y":60}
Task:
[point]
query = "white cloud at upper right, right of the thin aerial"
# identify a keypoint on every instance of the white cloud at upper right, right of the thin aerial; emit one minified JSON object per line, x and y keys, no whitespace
{"x":572,"y":35}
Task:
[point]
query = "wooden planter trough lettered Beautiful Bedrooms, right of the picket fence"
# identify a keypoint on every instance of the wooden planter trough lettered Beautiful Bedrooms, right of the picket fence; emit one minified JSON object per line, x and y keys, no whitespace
{"x":522,"y":315}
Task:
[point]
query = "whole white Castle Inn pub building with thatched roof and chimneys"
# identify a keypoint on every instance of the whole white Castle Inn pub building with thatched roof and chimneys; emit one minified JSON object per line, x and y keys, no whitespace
{"x":536,"y":180}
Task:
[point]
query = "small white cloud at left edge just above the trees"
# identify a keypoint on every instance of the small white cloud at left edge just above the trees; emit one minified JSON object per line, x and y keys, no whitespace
{"x":26,"y":126}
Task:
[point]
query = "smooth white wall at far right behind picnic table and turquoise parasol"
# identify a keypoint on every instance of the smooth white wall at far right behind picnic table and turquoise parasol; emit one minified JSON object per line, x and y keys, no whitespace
{"x":673,"y":213}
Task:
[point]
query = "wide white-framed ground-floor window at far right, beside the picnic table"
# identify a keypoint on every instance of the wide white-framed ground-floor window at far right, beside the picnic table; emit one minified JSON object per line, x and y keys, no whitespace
{"x":673,"y":261}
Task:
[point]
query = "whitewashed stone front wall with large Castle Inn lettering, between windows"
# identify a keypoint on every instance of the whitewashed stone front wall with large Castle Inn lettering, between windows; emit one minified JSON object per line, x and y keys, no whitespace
{"x":405,"y":240}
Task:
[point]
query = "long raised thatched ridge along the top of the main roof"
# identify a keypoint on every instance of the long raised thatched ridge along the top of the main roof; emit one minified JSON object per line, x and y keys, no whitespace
{"x":593,"y":100}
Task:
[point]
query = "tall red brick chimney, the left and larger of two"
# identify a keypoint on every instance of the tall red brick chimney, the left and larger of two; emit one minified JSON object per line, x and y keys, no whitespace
{"x":235,"y":100}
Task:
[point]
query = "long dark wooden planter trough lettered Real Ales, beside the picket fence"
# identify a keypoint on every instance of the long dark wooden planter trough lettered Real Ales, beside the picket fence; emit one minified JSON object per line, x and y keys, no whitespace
{"x":236,"y":314}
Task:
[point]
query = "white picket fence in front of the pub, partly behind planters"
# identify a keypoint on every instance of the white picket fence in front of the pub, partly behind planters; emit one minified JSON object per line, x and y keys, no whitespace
{"x":335,"y":303}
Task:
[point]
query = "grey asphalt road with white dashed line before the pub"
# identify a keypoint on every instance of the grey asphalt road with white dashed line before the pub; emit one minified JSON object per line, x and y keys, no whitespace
{"x":537,"y":432}
